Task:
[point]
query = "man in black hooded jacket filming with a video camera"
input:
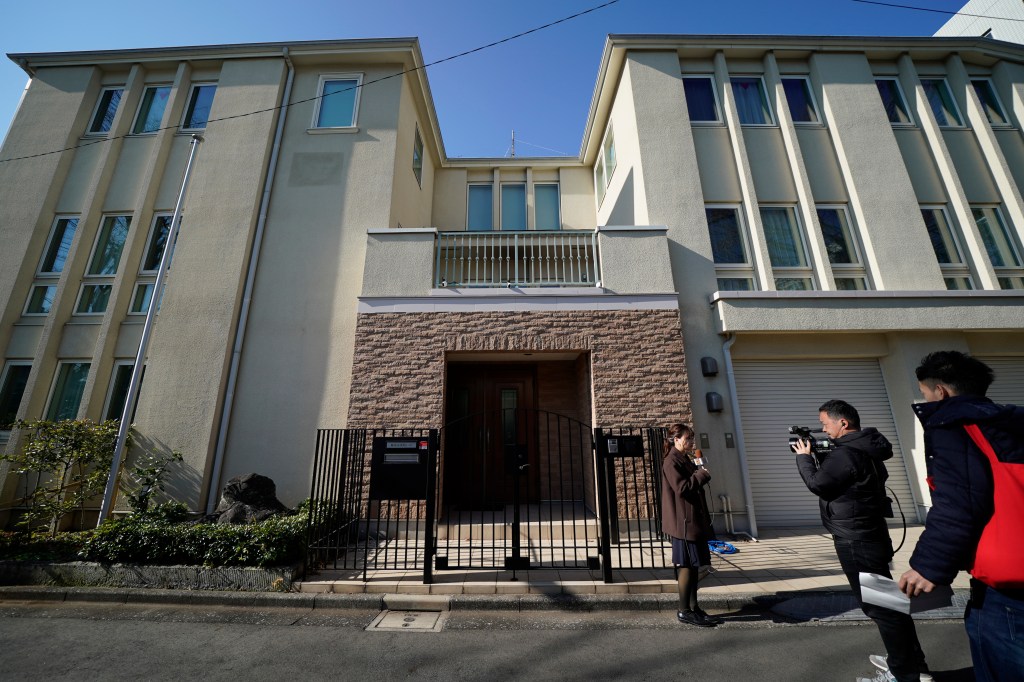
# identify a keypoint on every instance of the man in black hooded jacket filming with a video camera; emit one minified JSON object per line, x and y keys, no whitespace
{"x":849,"y":481}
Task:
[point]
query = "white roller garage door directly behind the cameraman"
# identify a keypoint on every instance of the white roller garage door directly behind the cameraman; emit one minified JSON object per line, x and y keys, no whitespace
{"x":777,"y":395}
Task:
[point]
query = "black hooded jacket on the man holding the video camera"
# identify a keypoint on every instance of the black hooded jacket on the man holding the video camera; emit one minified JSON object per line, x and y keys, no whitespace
{"x":850,"y":482}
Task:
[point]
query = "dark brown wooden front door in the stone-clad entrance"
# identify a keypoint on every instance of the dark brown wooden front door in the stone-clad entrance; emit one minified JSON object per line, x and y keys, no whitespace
{"x":490,"y":446}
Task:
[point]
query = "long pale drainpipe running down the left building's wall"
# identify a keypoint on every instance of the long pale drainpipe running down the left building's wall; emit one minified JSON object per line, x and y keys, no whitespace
{"x":214,"y":494}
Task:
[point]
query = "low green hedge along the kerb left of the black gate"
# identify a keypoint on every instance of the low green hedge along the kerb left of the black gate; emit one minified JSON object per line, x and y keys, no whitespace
{"x":159,"y":538}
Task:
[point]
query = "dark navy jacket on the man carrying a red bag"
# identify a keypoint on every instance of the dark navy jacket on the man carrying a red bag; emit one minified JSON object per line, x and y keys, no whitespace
{"x":961,"y":480}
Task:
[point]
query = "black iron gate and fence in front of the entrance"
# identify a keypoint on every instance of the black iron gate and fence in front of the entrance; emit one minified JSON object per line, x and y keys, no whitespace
{"x":511,"y":490}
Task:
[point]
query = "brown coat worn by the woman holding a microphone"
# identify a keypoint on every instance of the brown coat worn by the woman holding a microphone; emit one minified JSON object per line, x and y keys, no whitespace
{"x":685,"y":511}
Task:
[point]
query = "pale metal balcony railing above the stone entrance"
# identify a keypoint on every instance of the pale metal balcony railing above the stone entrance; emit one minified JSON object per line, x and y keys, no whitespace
{"x":567,"y":259}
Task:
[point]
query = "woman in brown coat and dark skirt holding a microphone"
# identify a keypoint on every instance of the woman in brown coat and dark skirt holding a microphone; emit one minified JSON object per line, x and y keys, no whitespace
{"x":686,"y":519}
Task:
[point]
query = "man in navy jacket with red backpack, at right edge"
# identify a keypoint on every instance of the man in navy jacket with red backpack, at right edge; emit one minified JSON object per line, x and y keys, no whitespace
{"x":974,"y":451}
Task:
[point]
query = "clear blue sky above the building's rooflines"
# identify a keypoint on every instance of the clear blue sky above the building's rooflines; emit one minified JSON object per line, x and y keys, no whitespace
{"x":539,"y":86}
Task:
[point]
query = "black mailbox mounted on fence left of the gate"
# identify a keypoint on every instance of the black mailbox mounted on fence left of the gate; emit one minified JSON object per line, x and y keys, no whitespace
{"x":399,"y":468}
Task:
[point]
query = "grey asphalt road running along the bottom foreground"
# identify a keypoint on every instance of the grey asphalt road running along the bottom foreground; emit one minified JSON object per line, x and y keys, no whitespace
{"x":90,"y":642}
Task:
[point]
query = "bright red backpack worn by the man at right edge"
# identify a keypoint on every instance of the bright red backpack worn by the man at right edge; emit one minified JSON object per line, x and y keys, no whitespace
{"x":999,"y":562}
